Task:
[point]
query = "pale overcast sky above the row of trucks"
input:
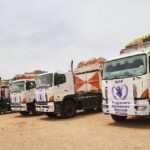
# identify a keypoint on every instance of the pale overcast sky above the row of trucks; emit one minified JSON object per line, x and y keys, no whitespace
{"x":48,"y":34}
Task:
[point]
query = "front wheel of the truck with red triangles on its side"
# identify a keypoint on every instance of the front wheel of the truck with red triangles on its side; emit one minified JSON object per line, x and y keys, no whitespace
{"x":68,"y":109}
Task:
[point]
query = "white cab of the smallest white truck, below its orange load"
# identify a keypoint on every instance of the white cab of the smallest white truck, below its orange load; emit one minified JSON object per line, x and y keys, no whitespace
{"x":22,"y":95}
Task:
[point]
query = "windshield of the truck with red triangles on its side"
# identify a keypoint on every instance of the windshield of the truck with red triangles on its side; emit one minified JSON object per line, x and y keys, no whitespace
{"x":44,"y":80}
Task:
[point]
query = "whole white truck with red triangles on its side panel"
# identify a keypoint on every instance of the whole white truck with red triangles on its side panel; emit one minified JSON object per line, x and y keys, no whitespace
{"x":64,"y":93}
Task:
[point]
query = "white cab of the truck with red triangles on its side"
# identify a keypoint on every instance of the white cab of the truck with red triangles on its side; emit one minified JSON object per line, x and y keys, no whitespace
{"x":51,"y":91}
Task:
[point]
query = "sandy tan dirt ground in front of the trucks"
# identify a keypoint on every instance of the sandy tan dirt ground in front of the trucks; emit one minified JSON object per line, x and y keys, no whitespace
{"x":94,"y":131}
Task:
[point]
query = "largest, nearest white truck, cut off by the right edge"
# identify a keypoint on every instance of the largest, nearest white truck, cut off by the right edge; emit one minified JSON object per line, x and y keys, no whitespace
{"x":126,"y":81}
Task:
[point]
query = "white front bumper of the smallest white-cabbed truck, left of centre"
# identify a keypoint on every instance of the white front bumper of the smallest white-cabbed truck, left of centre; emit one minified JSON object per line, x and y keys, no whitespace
{"x":18,"y":107}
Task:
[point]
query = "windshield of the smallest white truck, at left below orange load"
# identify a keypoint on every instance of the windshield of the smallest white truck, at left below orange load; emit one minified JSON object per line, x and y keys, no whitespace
{"x":17,"y":86}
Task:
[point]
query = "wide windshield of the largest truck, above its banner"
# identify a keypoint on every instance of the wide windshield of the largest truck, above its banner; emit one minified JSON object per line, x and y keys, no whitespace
{"x":125,"y":67}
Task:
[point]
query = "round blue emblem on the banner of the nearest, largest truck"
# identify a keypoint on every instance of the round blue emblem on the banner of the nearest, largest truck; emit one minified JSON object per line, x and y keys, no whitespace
{"x":120,"y":90}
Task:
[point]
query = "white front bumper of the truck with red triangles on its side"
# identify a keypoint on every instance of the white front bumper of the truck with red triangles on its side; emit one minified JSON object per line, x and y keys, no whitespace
{"x":47,"y":107}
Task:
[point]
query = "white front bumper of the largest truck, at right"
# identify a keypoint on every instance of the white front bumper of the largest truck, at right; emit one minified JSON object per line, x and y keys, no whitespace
{"x":140,"y":108}
